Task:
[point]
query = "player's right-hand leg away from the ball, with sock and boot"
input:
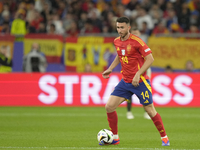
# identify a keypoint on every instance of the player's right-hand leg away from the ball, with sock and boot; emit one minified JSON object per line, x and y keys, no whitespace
{"x":157,"y":120}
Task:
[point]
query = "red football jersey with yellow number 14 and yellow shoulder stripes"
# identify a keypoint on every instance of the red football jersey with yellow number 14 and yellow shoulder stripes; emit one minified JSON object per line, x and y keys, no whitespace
{"x":131,"y":53}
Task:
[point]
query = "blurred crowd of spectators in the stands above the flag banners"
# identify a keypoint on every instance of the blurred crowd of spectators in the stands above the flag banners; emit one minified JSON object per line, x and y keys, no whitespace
{"x":73,"y":17}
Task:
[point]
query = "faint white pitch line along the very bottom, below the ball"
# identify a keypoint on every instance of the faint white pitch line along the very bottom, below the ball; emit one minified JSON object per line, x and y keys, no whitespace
{"x":106,"y":147}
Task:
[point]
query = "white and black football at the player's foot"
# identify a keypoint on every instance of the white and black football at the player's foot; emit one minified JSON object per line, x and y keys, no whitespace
{"x":105,"y":136}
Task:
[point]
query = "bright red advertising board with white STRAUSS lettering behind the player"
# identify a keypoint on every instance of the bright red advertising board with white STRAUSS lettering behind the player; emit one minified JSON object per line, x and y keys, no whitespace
{"x":59,"y":89}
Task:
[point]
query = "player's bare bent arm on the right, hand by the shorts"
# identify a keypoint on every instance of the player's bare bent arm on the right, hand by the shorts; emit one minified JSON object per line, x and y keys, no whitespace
{"x":148,"y":61}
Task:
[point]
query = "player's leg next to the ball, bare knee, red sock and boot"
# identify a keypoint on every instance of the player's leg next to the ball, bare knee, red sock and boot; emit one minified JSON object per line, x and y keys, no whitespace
{"x":111,"y":105}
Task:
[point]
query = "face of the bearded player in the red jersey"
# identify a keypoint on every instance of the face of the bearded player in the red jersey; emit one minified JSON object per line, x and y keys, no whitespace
{"x":122,"y":29}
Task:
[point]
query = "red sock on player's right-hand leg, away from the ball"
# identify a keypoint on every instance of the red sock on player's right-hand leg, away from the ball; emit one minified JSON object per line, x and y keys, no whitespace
{"x":157,"y":120}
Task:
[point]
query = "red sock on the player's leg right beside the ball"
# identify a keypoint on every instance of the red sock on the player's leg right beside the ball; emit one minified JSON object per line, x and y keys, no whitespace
{"x":113,"y":120}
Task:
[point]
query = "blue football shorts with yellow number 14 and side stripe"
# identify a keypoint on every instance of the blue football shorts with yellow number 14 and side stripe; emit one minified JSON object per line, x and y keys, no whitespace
{"x":143,"y":91}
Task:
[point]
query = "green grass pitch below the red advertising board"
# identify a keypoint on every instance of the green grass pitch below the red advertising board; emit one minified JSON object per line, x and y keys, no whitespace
{"x":76,"y":128}
